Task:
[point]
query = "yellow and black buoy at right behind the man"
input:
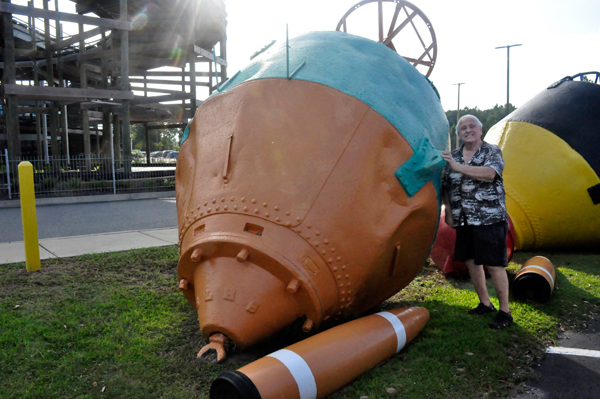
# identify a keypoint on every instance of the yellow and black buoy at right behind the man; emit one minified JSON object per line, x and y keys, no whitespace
{"x":551,"y":147}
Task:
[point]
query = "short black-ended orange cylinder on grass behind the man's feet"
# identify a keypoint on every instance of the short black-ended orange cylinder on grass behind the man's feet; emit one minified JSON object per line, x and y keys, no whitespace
{"x":535,"y":280}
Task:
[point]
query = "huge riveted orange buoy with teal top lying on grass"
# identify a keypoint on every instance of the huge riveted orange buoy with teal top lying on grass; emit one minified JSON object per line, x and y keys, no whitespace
{"x":307,"y":198}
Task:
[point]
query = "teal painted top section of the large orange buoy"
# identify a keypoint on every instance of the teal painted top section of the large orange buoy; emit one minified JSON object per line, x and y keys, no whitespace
{"x":375,"y":75}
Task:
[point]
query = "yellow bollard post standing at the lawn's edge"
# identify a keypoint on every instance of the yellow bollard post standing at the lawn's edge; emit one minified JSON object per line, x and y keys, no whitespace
{"x":29,"y":217}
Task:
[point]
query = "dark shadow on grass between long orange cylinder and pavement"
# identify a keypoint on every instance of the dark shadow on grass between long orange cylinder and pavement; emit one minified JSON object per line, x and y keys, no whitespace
{"x":456,"y":356}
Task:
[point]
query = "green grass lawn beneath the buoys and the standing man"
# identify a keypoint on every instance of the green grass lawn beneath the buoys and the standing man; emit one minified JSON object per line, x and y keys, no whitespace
{"x":116,"y":326}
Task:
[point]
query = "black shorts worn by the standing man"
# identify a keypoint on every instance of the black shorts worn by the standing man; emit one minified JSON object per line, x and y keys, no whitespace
{"x":485,"y":244}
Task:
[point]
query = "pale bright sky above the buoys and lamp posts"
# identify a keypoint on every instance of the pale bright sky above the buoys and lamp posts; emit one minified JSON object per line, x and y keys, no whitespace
{"x":558,"y":38}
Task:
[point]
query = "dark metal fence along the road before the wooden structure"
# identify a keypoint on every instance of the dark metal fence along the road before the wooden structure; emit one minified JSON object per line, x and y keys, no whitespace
{"x":88,"y":176}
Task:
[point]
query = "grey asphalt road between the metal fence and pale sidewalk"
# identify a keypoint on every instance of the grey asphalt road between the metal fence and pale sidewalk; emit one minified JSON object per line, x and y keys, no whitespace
{"x":91,"y":218}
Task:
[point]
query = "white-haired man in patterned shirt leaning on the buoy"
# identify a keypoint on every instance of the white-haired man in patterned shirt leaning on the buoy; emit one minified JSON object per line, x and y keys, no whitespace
{"x":474,"y":198}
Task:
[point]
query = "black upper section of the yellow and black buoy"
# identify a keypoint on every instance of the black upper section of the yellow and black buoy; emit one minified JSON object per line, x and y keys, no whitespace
{"x":571,"y":110}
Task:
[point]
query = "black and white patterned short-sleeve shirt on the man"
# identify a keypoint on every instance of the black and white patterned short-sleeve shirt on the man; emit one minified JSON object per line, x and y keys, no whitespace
{"x":476,"y":202}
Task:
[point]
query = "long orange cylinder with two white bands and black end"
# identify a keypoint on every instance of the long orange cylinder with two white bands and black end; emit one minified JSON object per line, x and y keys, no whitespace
{"x":320,"y":365}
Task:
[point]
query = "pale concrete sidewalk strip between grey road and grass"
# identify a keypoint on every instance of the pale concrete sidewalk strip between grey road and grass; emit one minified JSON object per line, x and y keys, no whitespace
{"x":63,"y":247}
